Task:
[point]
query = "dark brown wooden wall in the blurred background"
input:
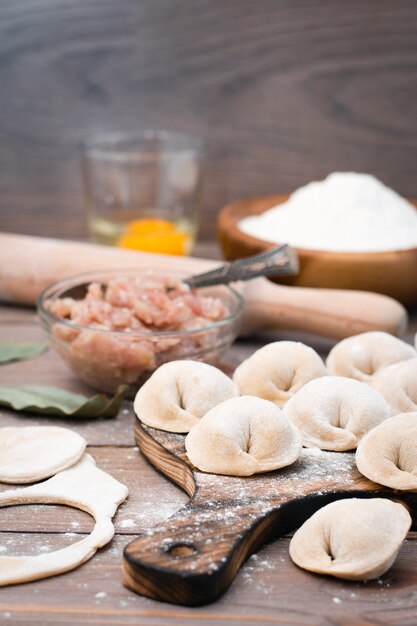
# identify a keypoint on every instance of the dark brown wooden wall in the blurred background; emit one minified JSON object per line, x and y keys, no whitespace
{"x":285,"y":90}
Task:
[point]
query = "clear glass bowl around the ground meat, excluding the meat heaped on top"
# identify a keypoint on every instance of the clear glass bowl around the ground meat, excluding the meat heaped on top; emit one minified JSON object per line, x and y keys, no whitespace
{"x":104,"y":358}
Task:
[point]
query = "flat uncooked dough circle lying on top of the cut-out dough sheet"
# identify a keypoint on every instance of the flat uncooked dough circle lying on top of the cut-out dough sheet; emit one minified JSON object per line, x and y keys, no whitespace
{"x":32,"y":453}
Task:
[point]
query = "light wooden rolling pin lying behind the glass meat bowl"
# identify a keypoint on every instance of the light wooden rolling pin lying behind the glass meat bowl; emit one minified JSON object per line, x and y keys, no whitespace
{"x":29,"y":264}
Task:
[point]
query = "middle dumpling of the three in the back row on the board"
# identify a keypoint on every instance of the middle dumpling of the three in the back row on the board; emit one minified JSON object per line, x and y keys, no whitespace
{"x":278,"y":370}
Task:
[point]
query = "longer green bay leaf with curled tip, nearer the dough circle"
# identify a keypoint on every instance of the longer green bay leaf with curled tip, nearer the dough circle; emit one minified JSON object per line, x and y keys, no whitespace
{"x":55,"y":401}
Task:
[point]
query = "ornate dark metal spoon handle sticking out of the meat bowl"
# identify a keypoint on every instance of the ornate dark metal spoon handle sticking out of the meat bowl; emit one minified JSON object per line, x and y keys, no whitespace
{"x":281,"y":260}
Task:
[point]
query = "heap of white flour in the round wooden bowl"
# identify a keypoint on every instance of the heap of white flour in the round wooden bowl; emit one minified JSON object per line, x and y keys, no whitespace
{"x":347,"y":212}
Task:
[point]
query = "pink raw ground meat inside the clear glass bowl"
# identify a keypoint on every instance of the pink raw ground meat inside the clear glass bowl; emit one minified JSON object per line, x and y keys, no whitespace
{"x":143,"y":305}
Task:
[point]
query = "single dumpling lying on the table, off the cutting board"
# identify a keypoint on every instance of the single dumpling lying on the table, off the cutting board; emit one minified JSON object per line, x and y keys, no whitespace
{"x":353,"y":539}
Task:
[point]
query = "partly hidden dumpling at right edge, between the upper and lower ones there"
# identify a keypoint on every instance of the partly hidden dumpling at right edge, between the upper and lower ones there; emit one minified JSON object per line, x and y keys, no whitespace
{"x":398,"y":385}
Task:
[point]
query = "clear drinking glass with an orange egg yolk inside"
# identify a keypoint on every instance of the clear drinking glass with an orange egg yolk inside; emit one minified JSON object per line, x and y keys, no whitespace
{"x":143,"y":190}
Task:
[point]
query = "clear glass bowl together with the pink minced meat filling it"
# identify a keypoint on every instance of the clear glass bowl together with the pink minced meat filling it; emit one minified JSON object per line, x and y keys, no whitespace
{"x":118,"y":326}
